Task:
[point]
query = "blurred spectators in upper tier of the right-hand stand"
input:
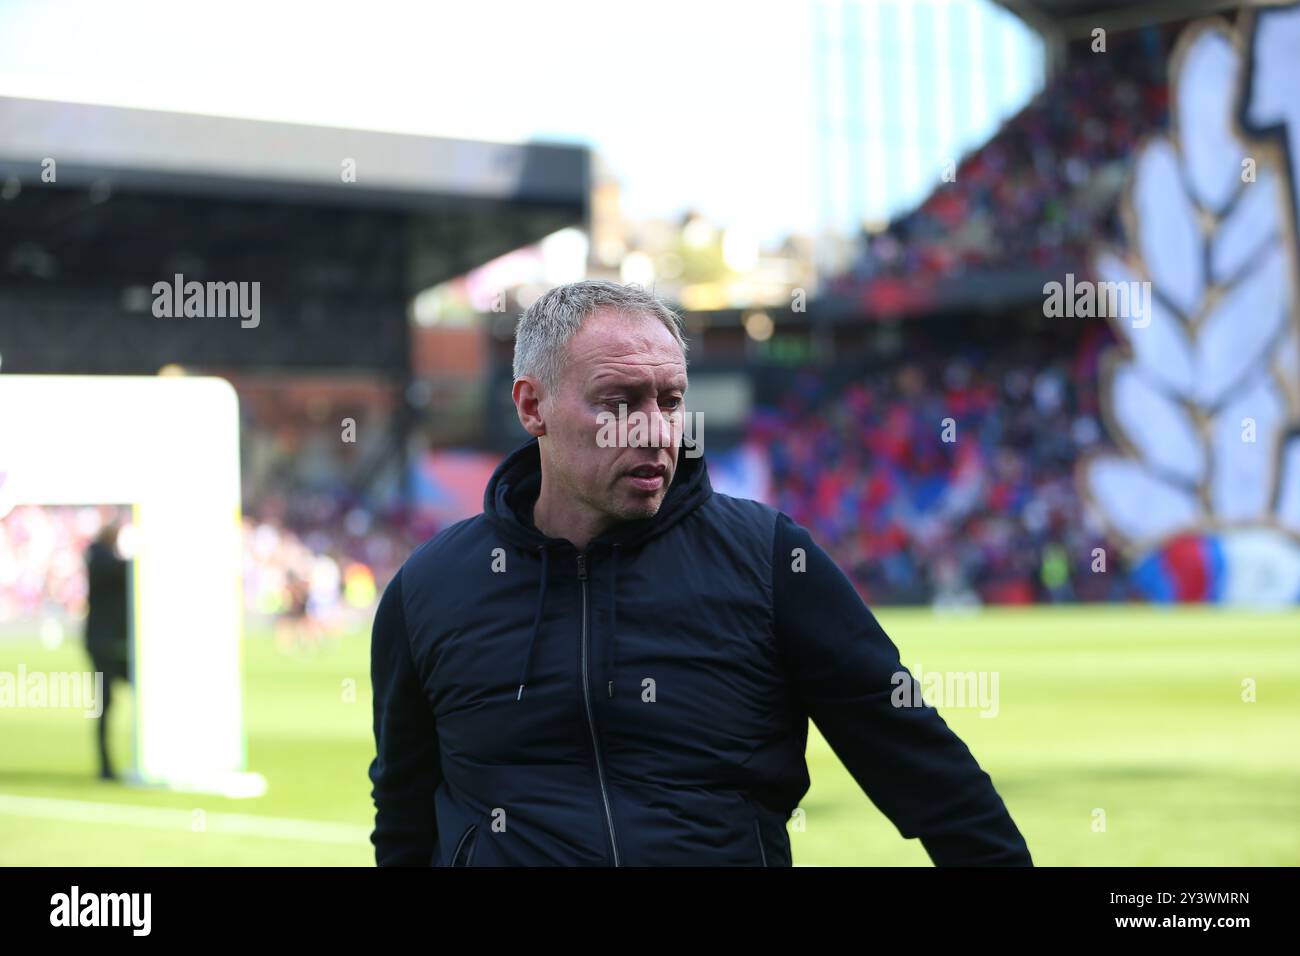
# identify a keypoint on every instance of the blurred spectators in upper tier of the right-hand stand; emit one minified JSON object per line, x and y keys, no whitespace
{"x":1020,"y":201}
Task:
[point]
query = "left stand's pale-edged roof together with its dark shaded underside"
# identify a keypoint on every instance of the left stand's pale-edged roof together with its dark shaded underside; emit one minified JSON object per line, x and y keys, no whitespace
{"x":138,"y":197}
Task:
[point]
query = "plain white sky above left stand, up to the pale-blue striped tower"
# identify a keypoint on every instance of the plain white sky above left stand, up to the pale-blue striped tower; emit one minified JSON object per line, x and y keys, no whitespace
{"x":690,"y":105}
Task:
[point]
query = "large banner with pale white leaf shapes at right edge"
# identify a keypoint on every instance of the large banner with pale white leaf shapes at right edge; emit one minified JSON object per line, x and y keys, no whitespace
{"x":1203,"y":395}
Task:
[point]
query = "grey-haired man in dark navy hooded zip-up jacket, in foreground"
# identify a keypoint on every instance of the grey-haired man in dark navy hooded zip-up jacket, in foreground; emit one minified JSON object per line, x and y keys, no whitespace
{"x":616,"y":665}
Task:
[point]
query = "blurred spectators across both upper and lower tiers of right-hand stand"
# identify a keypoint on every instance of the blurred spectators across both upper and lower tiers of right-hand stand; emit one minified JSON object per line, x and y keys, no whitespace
{"x":991,"y":514}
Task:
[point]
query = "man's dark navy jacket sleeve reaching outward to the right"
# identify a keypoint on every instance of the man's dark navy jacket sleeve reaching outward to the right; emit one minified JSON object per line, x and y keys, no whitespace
{"x":908,"y":762}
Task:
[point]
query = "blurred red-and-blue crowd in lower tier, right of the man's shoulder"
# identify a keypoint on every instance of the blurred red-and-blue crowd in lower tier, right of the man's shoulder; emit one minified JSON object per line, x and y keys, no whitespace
{"x":948,"y":478}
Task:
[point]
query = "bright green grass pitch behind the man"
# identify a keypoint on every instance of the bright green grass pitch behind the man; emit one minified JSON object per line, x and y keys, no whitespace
{"x":1123,"y":738}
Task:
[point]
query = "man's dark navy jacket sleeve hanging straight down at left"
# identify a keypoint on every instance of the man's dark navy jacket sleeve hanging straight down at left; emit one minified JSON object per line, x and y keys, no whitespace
{"x":406,"y":771}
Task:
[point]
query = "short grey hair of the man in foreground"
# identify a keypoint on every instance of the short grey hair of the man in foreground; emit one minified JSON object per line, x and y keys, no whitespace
{"x":545,"y":330}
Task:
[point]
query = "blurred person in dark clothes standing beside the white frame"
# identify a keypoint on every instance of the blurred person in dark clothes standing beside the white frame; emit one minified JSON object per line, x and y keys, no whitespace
{"x":107,"y":626}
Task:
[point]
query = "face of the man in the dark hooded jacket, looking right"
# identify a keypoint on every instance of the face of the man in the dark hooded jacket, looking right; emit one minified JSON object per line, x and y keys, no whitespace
{"x":617,"y":362}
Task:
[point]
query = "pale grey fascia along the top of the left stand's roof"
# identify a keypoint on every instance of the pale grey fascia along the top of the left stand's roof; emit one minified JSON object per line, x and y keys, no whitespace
{"x":154,"y":148}
